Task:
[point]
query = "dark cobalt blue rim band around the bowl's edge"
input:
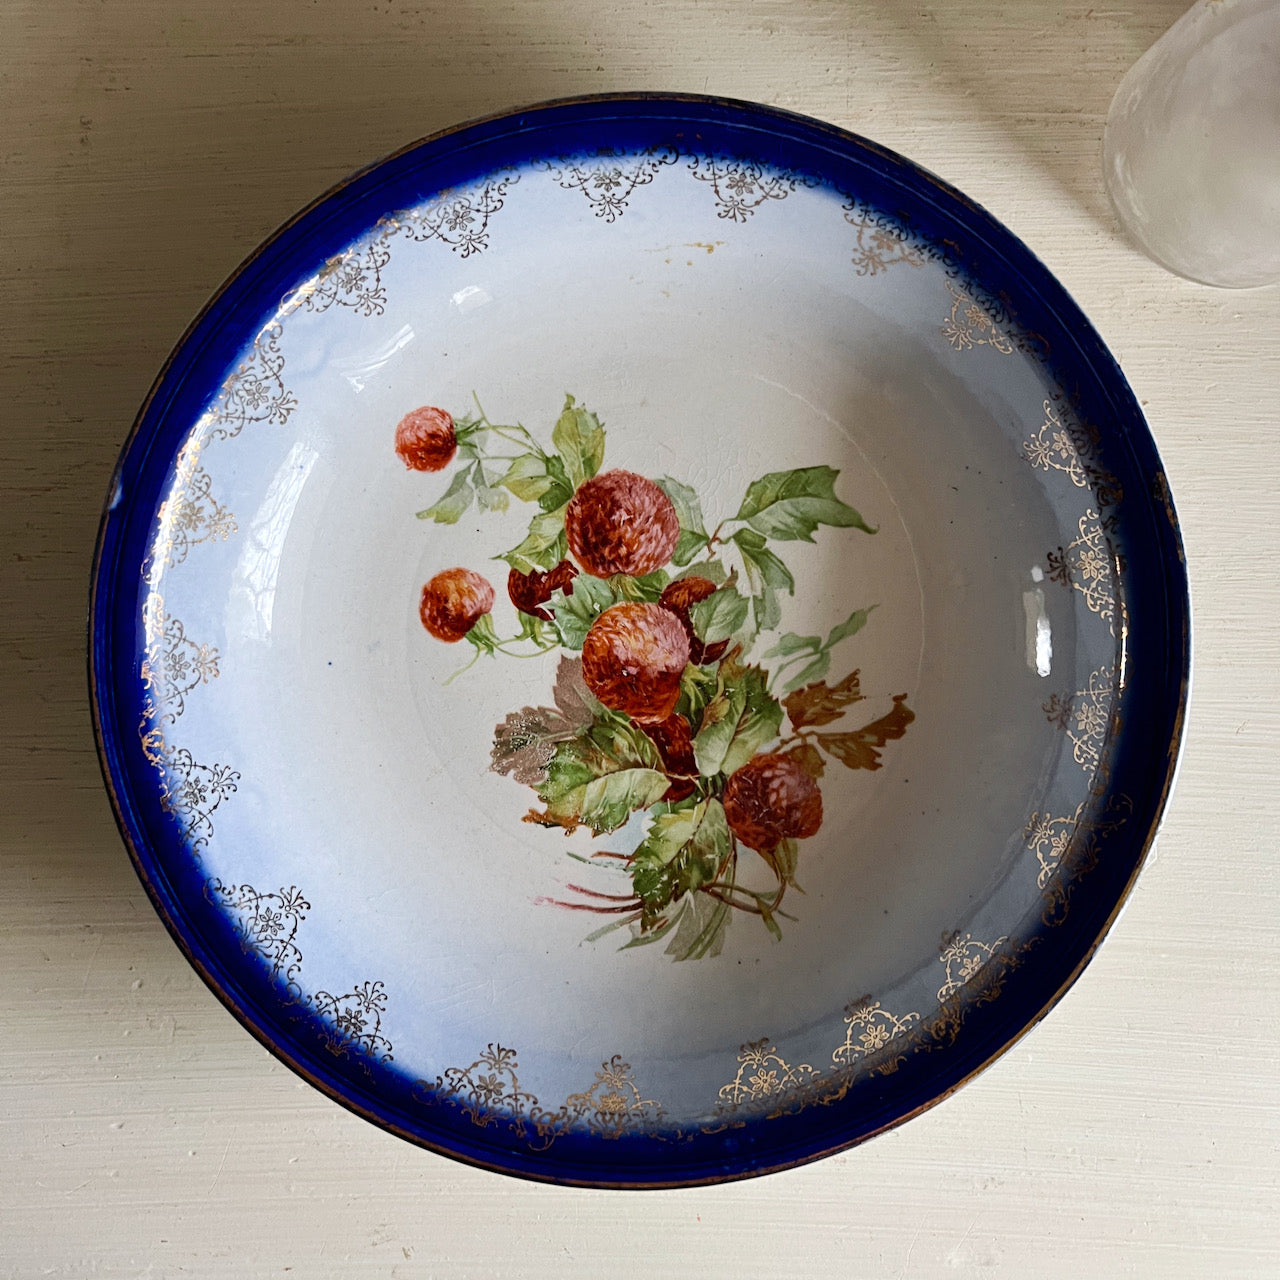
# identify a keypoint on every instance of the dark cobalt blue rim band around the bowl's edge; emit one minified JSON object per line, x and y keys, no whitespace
{"x":1158,"y":641}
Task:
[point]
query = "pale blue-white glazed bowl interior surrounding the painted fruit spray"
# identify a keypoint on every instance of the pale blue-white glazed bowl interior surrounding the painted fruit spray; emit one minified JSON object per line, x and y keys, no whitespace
{"x":714,"y":351}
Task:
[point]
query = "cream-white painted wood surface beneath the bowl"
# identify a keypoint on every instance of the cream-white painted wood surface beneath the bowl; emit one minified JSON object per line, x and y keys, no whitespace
{"x":145,"y":150}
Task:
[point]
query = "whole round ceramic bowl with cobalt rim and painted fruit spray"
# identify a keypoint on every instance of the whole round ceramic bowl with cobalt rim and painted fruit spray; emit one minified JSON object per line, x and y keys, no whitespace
{"x":447,"y":885}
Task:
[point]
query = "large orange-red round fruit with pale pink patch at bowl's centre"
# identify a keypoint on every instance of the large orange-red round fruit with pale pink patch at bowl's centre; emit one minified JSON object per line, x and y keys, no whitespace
{"x":633,"y":660}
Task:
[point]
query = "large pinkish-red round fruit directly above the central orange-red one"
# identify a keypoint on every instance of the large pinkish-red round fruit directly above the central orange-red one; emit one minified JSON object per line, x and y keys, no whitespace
{"x":620,"y":523}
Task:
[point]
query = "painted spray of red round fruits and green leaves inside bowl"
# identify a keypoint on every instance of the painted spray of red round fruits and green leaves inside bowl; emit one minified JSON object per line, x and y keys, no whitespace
{"x":664,"y":730}
